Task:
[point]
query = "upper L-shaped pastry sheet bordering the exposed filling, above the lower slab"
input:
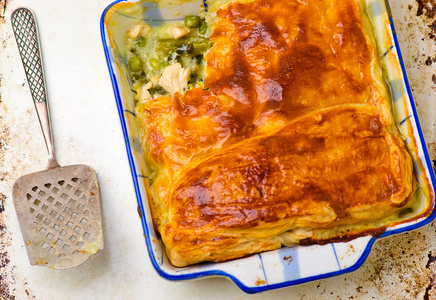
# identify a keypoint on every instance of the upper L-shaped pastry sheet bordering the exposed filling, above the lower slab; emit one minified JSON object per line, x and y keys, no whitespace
{"x":265,"y":69}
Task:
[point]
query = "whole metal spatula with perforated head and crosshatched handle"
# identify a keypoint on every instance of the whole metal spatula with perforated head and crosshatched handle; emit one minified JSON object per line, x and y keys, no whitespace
{"x":58,"y":209}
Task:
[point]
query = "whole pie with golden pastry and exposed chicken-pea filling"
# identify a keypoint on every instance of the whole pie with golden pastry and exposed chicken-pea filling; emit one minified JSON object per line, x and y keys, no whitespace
{"x":264,"y":124}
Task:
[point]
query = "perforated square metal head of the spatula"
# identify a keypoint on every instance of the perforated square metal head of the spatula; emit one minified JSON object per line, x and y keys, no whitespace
{"x":59,"y":214}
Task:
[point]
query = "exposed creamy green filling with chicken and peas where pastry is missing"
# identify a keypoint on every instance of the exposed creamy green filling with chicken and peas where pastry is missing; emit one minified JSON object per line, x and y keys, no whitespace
{"x":148,"y":54}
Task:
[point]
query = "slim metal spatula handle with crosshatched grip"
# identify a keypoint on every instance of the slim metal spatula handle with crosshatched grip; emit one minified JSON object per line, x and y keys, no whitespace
{"x":26,"y":34}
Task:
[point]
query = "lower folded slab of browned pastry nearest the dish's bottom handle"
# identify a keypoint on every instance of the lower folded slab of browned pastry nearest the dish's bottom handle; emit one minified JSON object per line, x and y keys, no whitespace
{"x":305,"y":175}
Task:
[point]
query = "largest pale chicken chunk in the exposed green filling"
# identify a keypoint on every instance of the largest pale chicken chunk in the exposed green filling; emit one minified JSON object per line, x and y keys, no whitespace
{"x":175,"y":78}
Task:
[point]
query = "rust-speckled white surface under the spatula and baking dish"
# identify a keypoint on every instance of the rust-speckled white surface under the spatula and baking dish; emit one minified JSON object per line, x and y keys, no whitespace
{"x":86,"y":129}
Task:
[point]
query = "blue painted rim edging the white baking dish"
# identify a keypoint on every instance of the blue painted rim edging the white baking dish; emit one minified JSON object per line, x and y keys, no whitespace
{"x":288,"y":283}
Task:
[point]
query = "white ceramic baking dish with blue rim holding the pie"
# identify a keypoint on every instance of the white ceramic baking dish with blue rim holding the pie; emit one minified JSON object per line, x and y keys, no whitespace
{"x":285,"y":266}
